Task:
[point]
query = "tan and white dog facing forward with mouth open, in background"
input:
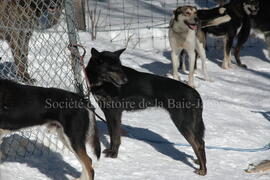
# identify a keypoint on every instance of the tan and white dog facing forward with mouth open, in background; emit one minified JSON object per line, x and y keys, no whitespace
{"x":184,"y":35}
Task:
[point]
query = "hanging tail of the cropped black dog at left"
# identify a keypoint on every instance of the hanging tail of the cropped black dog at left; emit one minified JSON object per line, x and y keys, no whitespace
{"x":93,"y":134}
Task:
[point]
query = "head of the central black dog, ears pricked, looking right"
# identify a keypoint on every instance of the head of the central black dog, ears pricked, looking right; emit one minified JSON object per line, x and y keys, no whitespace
{"x":106,"y":67}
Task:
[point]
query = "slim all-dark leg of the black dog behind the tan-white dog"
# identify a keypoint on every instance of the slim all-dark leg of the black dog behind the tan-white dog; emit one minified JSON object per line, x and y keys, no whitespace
{"x":242,"y":38}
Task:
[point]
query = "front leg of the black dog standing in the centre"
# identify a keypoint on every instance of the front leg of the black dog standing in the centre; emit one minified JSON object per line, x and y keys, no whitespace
{"x":113,"y":118}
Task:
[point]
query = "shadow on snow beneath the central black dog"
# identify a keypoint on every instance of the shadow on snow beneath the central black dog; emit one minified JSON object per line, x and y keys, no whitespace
{"x":165,"y":148}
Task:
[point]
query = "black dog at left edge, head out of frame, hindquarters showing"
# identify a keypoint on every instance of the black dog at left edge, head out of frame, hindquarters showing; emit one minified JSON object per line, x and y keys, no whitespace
{"x":24,"y":106}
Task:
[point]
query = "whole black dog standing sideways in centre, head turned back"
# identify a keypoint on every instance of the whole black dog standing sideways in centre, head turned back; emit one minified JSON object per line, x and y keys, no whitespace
{"x":114,"y":84}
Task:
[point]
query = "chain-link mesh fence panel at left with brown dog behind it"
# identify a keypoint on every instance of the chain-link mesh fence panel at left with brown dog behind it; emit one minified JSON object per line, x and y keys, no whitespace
{"x":33,"y":49}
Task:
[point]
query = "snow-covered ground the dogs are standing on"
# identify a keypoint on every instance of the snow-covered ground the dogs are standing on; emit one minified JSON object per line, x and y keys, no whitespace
{"x":236,"y":115}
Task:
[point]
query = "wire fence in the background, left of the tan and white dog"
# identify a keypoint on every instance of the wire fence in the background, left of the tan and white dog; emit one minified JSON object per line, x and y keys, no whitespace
{"x":138,"y":23}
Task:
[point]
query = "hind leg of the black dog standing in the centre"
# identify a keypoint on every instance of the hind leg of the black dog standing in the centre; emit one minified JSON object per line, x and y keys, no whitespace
{"x":193,"y":133}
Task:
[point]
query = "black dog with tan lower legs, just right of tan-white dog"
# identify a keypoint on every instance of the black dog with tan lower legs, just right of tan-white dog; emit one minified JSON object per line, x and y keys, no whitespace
{"x":240,"y":12}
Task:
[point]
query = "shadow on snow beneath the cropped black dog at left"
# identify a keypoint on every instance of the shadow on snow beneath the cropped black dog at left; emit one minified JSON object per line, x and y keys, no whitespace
{"x":46,"y":161}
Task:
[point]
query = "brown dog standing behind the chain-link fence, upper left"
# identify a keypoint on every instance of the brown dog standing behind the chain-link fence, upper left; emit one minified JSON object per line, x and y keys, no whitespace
{"x":18,"y":19}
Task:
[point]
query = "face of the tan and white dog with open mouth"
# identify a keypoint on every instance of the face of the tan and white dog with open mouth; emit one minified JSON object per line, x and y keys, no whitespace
{"x":186,"y":16}
